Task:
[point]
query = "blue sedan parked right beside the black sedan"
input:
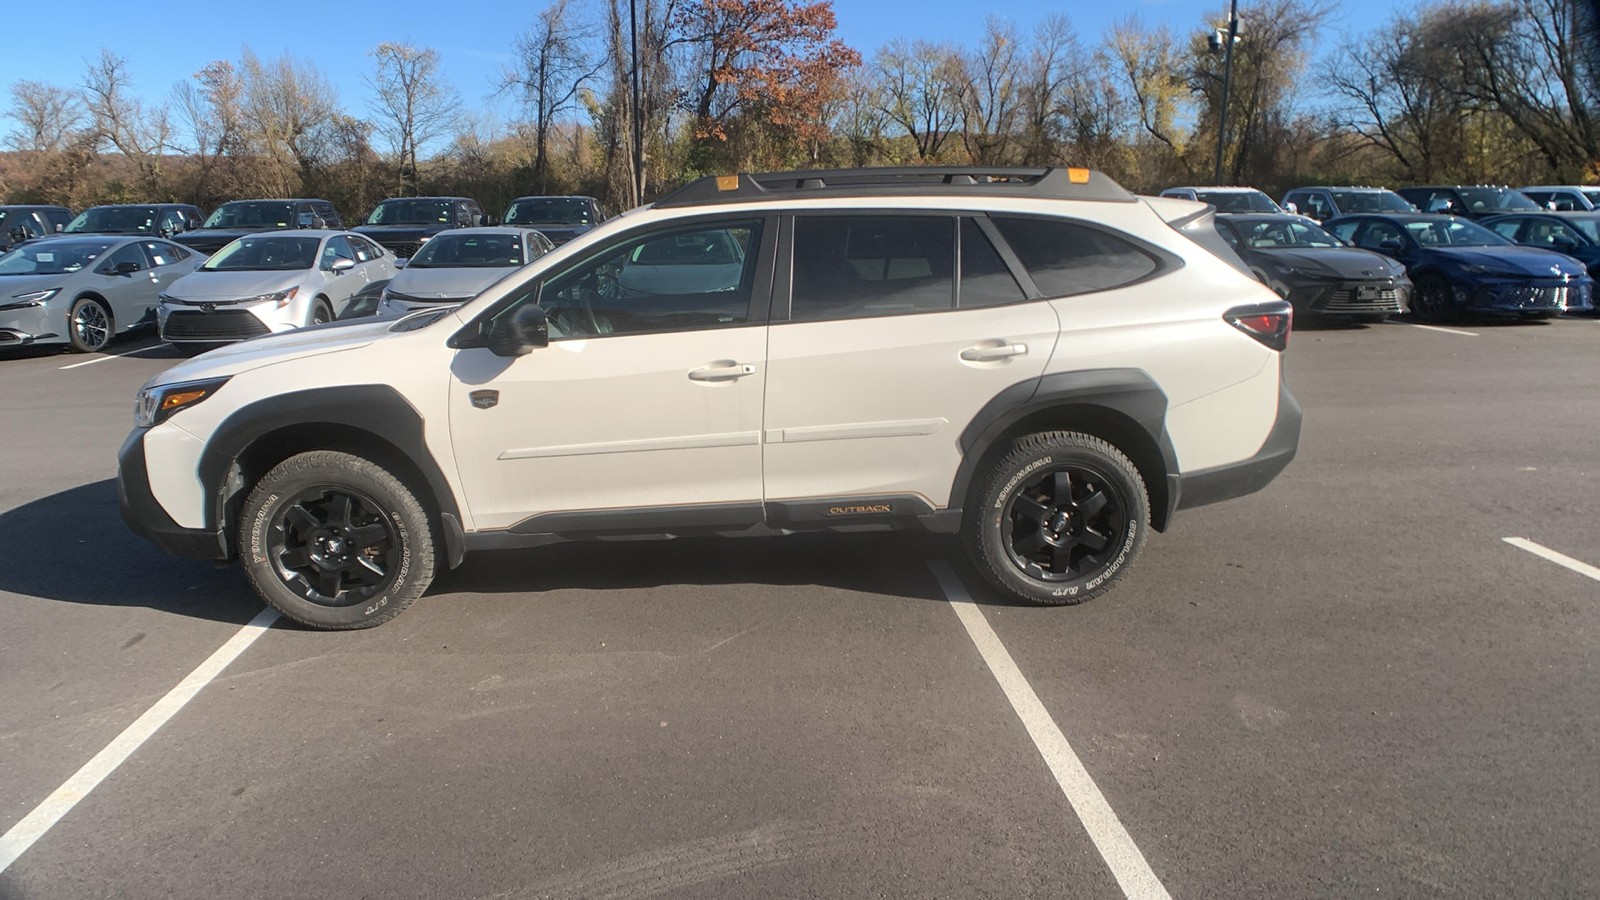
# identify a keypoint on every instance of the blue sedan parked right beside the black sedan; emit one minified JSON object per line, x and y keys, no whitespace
{"x":1462,"y":267}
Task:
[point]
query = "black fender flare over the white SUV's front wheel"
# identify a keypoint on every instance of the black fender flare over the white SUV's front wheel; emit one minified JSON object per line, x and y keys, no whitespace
{"x":375,"y":409}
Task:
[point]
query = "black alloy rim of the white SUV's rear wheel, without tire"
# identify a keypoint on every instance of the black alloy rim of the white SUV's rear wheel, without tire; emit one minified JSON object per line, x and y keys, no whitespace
{"x":1063,"y":524}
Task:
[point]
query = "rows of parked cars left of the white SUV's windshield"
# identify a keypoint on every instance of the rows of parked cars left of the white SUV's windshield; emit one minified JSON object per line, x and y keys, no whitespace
{"x":257,"y":267}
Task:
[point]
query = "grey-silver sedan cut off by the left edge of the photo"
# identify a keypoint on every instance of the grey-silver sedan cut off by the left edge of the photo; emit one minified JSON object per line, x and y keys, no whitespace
{"x":86,"y":291}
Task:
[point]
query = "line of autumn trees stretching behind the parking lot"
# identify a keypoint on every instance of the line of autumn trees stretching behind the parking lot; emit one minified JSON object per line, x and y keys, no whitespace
{"x":1455,"y":92}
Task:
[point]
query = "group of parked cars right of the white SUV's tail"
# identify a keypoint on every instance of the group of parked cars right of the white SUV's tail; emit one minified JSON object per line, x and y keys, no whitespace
{"x":1438,"y":252}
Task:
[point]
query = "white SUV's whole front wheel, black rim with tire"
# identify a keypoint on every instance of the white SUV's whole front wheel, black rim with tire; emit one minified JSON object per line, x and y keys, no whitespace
{"x":335,"y":542}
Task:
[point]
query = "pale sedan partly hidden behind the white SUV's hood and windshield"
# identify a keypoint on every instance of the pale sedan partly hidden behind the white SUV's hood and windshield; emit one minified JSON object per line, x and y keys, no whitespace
{"x":454,"y":267}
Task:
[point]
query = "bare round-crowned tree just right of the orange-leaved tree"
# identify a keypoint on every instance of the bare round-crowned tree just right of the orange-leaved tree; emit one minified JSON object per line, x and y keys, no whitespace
{"x":921,"y":89}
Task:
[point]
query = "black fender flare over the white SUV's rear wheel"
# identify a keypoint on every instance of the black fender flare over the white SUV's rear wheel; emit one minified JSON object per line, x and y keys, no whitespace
{"x":1055,"y":401}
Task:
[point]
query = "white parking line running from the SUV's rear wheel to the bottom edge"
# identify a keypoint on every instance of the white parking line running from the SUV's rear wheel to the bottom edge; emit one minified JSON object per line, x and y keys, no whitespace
{"x":1113,"y":842}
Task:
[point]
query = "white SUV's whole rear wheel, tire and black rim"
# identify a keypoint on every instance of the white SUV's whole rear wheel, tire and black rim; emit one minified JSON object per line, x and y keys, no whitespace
{"x":1058,"y":520}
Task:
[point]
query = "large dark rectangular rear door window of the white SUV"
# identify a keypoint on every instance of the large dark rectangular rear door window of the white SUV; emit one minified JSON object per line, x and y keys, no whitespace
{"x":868,"y":267}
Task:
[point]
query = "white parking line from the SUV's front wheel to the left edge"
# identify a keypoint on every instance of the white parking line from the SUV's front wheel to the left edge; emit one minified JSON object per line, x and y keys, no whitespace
{"x":46,"y":816}
